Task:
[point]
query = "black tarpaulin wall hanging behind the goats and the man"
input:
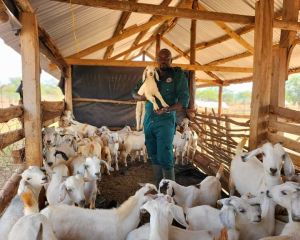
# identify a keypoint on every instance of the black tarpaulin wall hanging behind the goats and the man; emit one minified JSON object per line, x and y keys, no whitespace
{"x":99,"y":82}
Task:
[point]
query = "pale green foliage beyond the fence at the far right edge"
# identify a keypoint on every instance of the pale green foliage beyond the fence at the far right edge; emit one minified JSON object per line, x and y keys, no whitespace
{"x":293,"y":89}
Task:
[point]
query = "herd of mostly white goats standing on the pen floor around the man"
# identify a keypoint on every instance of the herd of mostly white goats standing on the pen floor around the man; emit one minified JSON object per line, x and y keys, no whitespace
{"x":73,"y":155}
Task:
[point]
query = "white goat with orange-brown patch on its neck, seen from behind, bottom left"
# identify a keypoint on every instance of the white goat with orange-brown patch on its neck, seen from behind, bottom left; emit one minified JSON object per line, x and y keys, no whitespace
{"x":32,"y":225}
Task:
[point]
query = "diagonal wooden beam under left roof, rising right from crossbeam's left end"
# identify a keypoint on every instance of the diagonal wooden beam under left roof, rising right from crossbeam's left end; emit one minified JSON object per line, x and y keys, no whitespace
{"x":123,"y":35}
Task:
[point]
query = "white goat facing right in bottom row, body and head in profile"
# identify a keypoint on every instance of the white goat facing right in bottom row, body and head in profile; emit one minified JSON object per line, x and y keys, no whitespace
{"x":235,"y":212}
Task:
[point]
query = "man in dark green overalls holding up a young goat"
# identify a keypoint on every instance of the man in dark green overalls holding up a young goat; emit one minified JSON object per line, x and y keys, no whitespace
{"x":159,"y":126}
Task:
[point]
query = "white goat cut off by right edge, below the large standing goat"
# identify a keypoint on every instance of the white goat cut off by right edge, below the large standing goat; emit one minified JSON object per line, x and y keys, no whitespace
{"x":288,"y":195}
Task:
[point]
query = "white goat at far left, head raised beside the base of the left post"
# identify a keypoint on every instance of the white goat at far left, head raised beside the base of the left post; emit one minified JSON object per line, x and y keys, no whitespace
{"x":32,"y":178}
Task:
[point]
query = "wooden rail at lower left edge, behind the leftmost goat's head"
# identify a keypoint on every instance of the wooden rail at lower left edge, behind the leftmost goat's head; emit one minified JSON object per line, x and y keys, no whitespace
{"x":10,"y":188}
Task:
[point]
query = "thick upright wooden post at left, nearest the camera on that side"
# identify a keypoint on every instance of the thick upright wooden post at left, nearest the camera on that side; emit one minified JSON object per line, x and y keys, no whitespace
{"x":31,"y":89}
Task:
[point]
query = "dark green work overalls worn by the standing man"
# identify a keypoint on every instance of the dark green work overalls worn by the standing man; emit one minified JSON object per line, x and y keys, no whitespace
{"x":160,"y":129}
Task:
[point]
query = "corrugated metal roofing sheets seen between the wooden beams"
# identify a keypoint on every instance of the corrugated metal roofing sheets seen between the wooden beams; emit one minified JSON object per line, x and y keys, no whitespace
{"x":63,"y":22}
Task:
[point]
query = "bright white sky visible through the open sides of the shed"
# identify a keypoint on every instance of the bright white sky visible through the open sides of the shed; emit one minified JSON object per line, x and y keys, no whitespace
{"x":11,"y":67}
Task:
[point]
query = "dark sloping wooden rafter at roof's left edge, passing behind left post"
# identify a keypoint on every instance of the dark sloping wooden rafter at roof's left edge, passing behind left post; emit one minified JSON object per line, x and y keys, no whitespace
{"x":47,"y":45}
